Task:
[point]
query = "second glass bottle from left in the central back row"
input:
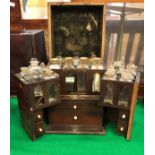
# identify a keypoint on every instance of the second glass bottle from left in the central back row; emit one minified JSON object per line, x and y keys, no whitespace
{"x":68,"y":63}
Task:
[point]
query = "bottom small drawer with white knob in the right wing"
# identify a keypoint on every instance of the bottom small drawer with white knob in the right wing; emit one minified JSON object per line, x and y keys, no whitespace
{"x":122,"y":127}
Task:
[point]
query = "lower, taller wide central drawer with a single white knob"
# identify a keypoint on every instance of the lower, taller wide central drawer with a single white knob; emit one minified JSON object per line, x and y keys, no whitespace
{"x":70,"y":117}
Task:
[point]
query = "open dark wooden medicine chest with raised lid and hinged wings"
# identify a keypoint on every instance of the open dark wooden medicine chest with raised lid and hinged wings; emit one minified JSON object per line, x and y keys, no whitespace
{"x":76,"y":29}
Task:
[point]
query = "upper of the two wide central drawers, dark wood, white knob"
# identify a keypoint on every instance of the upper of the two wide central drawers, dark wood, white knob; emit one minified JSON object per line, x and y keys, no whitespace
{"x":75,"y":105}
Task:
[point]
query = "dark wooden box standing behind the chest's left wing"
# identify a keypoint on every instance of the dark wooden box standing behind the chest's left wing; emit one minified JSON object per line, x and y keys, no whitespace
{"x":24,"y":46}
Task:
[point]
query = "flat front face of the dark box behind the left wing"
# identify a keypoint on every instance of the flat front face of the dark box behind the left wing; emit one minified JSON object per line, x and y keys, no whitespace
{"x":20,"y":53}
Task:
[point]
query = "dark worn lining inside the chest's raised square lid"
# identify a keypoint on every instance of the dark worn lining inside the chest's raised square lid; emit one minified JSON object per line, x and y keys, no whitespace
{"x":76,"y":30}
